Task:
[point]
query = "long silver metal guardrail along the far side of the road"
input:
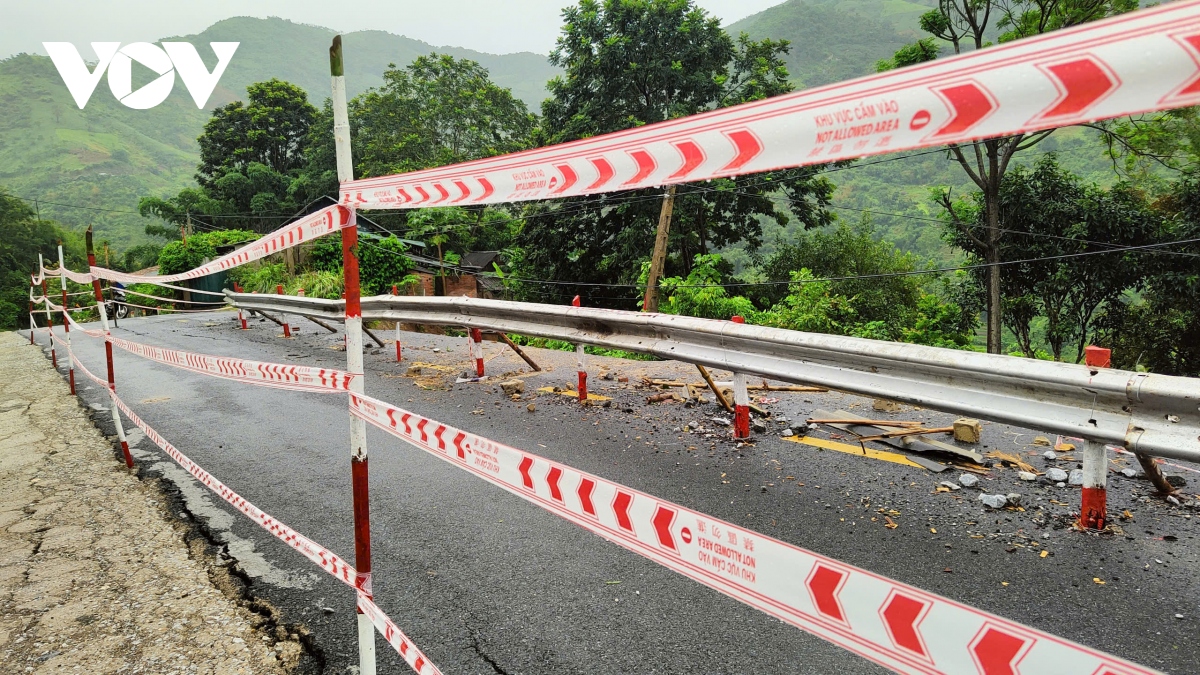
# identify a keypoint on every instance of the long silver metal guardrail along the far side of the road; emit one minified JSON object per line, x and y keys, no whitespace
{"x":1149,"y":414}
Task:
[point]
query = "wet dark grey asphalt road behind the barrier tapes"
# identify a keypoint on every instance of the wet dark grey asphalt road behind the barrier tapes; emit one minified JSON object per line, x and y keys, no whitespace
{"x":487,"y":583}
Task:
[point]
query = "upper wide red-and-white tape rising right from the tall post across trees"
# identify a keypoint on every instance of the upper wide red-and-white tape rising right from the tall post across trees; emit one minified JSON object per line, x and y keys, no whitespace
{"x":1142,"y":62}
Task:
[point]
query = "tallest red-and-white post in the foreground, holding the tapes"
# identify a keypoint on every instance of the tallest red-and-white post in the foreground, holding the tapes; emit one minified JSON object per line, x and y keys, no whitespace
{"x":353,"y":361}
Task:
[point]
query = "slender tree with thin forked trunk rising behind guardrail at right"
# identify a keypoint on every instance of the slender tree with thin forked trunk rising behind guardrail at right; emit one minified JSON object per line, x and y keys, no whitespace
{"x":968,"y":25}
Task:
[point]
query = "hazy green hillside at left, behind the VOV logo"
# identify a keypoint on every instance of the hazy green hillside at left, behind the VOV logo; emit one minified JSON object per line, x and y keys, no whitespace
{"x":107,"y":157}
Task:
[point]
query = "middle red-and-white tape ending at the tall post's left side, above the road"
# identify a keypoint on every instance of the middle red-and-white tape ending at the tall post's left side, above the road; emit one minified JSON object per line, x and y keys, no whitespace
{"x":275,"y":375}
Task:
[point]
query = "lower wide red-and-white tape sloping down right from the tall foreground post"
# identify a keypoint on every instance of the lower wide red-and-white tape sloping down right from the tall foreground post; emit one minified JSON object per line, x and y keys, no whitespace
{"x":892,"y":624}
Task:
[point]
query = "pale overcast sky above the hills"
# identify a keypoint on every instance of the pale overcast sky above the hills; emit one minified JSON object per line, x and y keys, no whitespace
{"x":489,"y":26}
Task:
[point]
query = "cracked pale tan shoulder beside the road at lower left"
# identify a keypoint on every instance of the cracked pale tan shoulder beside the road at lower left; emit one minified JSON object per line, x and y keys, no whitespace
{"x":93,"y":574}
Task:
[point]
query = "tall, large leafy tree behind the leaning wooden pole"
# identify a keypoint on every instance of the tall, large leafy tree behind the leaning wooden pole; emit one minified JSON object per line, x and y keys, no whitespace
{"x":631,"y":63}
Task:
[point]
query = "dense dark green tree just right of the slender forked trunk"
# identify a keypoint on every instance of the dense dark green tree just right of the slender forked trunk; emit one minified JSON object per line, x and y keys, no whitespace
{"x":1049,"y":214}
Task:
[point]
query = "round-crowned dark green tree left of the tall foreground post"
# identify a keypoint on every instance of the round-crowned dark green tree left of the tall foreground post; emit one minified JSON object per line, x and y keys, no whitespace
{"x":250,"y":157}
